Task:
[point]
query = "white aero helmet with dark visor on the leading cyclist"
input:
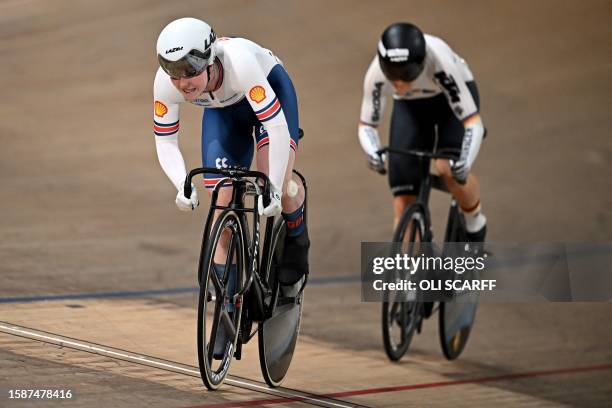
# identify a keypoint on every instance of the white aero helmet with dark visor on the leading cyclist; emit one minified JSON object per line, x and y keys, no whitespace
{"x":185,"y":47}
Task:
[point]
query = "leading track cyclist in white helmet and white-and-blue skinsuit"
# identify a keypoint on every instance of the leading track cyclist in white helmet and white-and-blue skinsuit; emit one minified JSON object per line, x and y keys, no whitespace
{"x":245,"y":92}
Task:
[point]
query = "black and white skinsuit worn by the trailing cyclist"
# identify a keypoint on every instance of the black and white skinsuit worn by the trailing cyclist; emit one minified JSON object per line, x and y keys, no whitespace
{"x":441,"y":112}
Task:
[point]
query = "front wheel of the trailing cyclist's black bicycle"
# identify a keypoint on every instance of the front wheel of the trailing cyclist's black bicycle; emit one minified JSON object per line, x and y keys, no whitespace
{"x":401,"y":311}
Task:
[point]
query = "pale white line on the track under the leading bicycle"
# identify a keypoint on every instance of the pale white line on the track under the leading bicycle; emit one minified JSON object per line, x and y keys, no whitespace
{"x":9,"y":328}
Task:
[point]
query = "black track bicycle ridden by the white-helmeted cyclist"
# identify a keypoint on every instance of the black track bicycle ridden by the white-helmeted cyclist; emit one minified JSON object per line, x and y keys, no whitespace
{"x":242,"y":291}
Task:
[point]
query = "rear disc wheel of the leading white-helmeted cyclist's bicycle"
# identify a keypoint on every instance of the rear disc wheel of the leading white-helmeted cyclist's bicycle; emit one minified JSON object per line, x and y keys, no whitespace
{"x":278,"y":334}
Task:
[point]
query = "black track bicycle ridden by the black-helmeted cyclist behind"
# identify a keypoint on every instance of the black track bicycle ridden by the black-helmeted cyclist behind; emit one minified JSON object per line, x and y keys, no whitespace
{"x":402,"y":313}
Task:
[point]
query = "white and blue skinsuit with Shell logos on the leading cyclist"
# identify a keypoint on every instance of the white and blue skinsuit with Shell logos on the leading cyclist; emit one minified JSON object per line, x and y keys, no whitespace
{"x":255,"y":95}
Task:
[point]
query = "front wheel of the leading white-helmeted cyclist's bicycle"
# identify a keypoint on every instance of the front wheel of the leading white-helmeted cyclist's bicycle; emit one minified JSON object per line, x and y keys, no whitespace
{"x":219,"y":312}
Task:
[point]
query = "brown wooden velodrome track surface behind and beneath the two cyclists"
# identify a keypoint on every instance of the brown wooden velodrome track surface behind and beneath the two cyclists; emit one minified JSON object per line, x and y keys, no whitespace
{"x":98,"y":267}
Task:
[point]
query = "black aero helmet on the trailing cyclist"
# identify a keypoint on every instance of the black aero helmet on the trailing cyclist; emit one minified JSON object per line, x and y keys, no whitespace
{"x":401,"y":52}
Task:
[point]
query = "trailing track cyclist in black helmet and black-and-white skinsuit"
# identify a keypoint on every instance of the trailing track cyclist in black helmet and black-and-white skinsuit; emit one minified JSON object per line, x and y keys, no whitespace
{"x":432,"y":88}
